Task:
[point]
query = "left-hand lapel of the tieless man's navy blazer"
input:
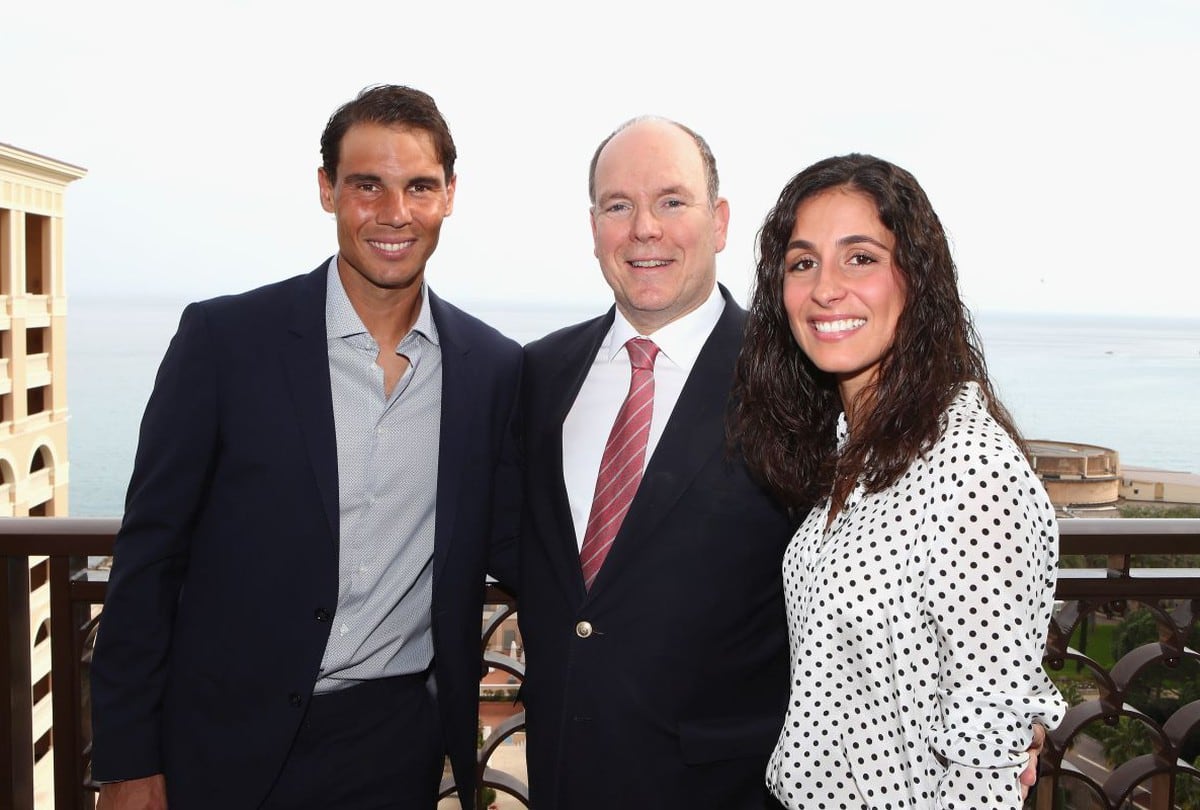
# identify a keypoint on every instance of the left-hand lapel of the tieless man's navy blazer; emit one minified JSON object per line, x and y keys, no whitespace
{"x":308,"y":373}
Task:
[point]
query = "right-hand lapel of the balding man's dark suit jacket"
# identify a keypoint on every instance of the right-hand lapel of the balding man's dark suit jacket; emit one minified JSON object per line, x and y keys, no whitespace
{"x":694,"y":433}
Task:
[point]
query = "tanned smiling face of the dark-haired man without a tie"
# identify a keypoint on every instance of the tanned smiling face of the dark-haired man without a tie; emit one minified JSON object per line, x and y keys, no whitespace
{"x":391,"y":197}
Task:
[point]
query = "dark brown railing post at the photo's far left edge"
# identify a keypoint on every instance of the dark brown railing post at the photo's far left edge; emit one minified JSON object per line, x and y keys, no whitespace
{"x":17,"y":701}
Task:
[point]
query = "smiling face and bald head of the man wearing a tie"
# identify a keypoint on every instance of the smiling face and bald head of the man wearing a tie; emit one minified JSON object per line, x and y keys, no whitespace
{"x":656,"y":233}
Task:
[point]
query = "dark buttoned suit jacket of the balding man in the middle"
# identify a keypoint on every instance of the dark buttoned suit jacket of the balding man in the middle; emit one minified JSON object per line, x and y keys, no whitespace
{"x":677,"y":697}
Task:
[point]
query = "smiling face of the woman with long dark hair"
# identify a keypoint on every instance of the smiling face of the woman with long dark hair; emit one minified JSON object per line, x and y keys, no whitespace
{"x":843,"y":291}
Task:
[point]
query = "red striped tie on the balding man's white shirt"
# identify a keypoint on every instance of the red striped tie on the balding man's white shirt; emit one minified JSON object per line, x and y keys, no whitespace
{"x":625,"y":457}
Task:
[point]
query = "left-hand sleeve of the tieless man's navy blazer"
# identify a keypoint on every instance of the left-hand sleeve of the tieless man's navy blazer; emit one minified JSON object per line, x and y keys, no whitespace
{"x":177,"y":451}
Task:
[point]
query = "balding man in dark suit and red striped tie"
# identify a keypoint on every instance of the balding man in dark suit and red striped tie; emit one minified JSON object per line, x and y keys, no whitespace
{"x":659,"y":681}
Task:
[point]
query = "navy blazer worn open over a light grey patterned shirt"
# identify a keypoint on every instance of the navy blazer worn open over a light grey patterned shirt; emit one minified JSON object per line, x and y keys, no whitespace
{"x":226,"y":566}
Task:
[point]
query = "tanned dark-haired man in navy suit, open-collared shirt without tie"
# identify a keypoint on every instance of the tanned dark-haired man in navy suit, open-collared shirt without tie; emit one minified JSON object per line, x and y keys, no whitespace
{"x":323,"y":475}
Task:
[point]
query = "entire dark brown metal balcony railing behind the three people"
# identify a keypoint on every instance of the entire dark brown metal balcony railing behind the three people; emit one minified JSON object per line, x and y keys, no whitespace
{"x":1118,"y":646}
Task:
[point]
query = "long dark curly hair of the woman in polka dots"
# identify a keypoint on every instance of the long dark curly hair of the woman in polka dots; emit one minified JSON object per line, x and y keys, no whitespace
{"x":785,"y":410}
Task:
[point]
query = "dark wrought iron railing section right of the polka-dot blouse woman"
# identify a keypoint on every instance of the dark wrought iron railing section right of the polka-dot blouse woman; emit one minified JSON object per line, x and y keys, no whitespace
{"x":1142,"y":711}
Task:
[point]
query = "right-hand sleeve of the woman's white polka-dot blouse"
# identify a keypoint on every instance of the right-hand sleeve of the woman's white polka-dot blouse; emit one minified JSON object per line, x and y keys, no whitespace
{"x":989,"y":597}
